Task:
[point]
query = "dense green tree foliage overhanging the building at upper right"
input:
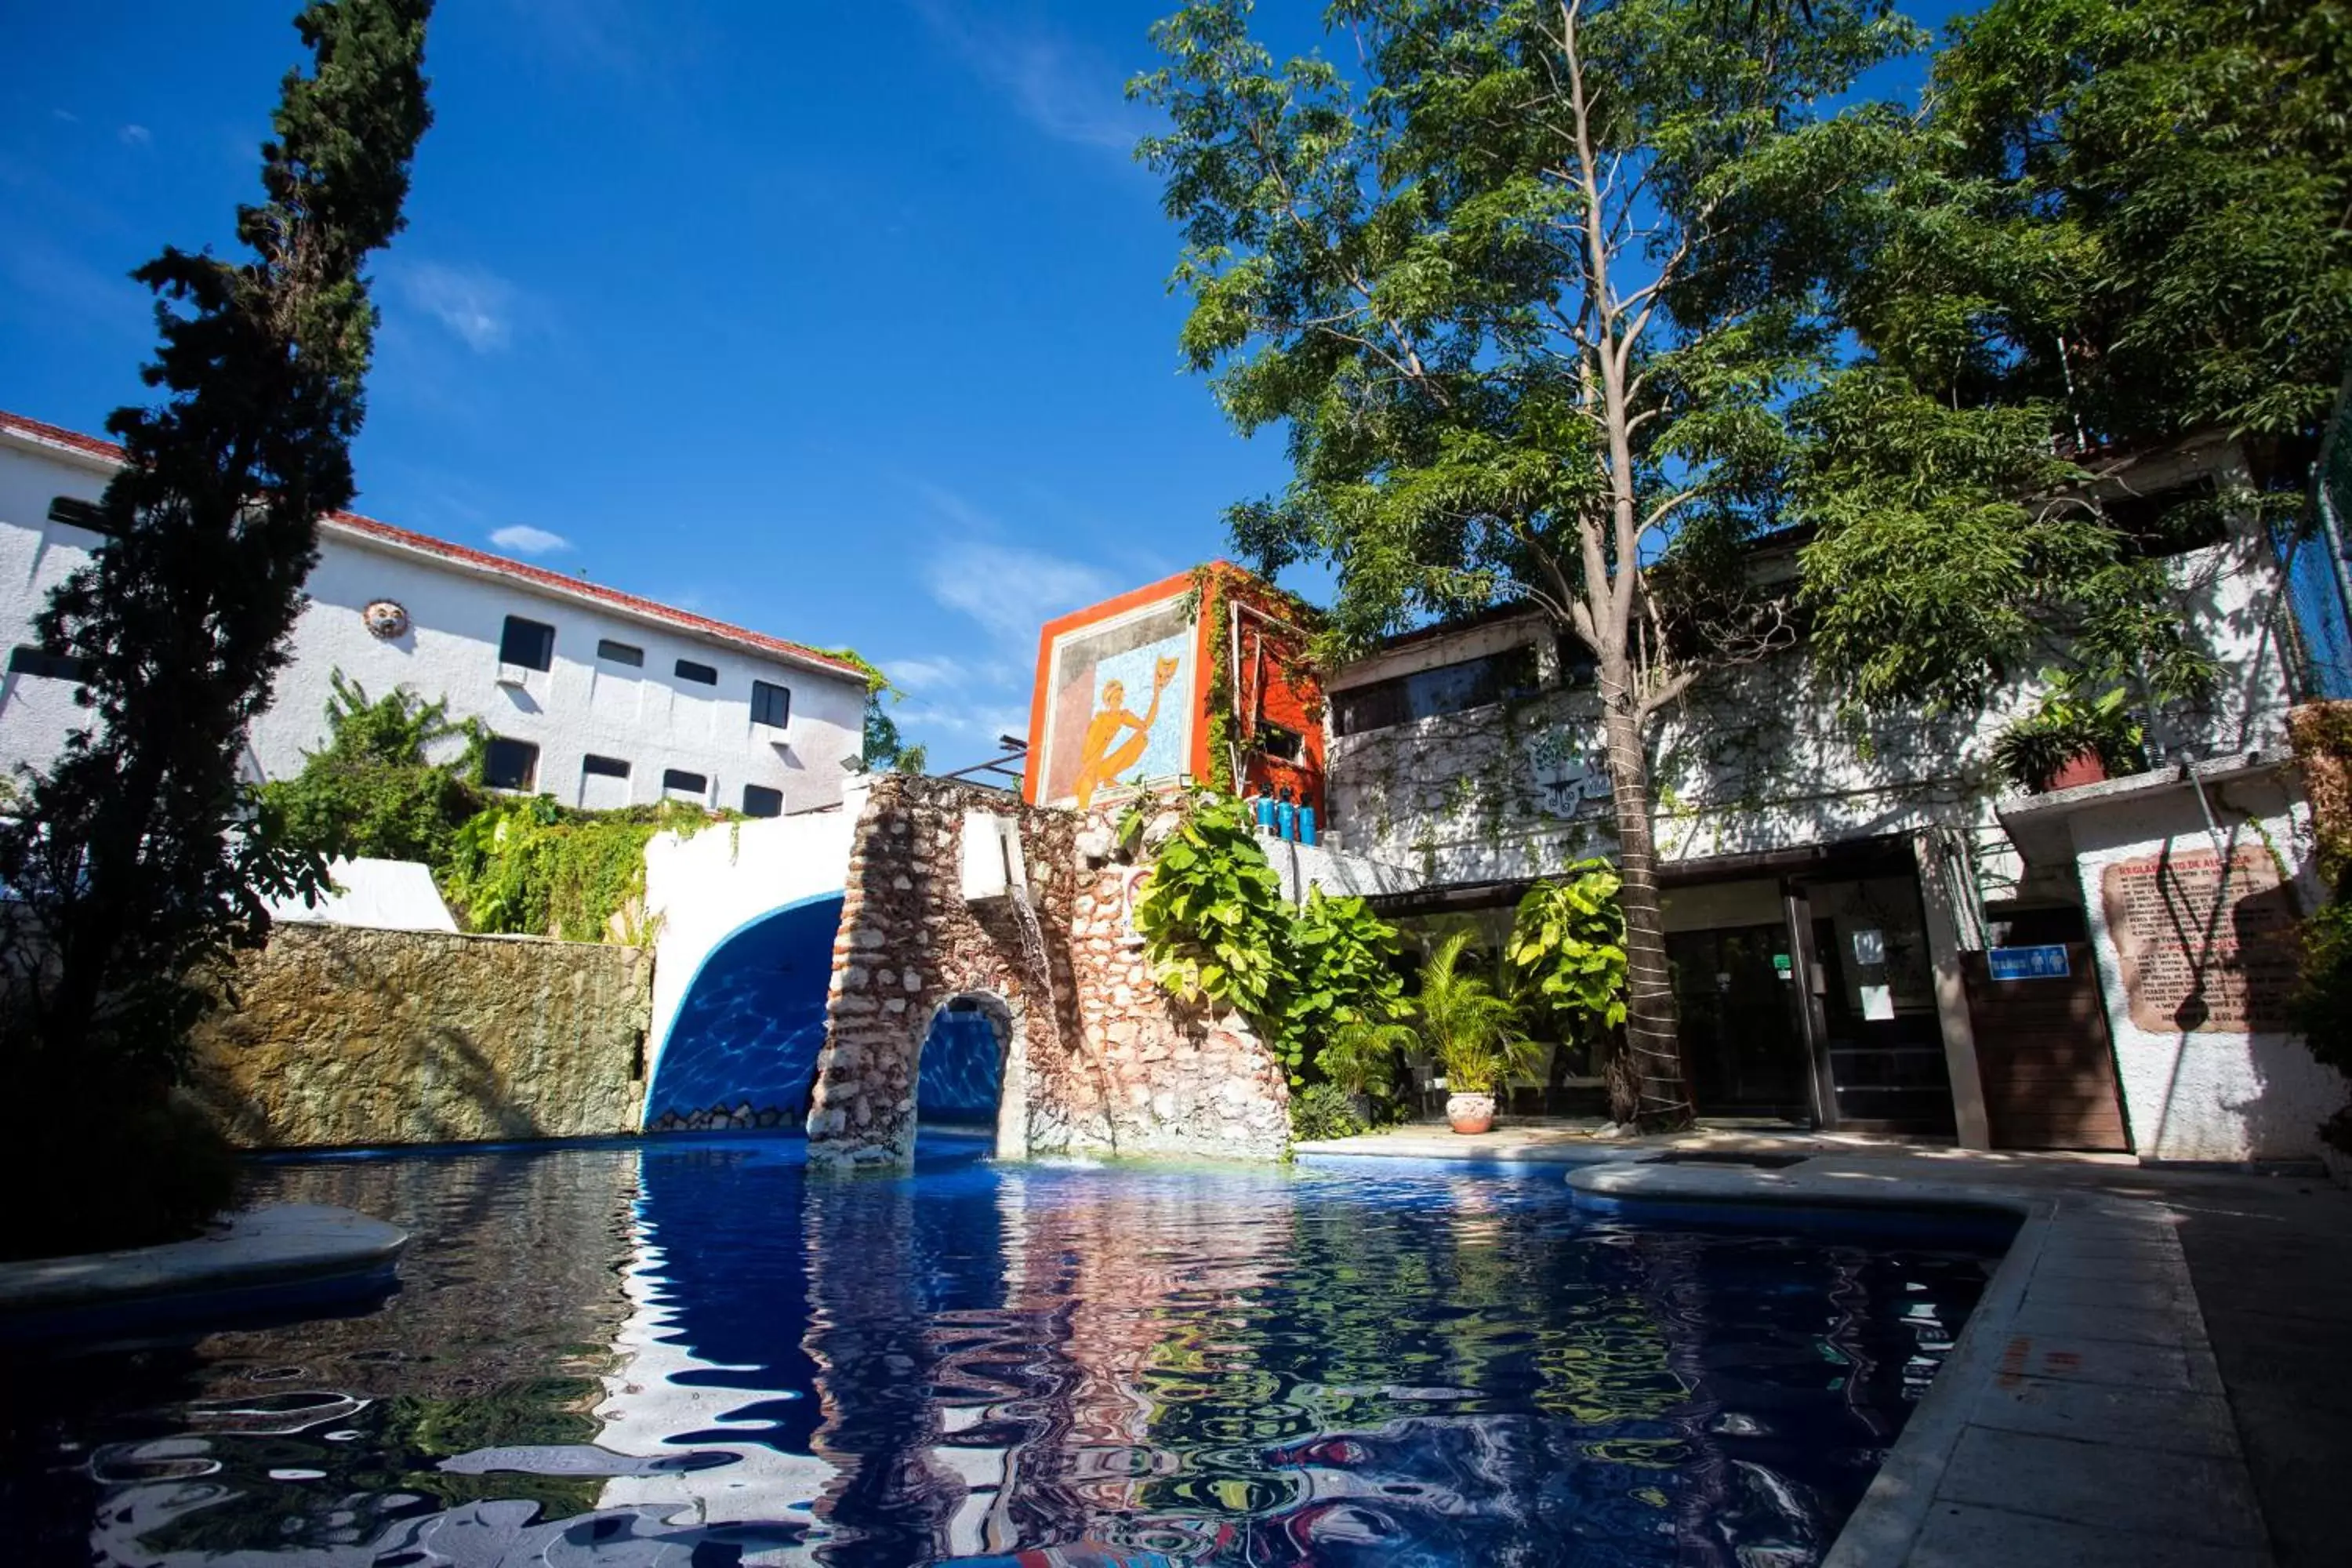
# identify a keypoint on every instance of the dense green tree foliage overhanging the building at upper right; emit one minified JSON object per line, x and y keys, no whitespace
{"x":2120,"y":222}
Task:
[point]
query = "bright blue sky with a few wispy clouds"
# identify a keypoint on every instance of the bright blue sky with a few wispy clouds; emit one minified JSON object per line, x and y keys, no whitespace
{"x":846,"y":323}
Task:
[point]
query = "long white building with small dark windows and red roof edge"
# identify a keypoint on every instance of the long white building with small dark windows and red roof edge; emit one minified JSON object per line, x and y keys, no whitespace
{"x":592,"y":695}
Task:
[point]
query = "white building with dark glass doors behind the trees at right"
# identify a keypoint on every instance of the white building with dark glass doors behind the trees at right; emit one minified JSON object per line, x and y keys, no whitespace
{"x":1883,"y":934}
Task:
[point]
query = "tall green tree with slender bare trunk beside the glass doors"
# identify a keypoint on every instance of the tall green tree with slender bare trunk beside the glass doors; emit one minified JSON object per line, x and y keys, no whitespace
{"x":1530,"y":304}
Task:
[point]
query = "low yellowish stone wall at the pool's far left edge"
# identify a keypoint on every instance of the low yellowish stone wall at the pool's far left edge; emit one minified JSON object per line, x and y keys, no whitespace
{"x":345,"y":1036}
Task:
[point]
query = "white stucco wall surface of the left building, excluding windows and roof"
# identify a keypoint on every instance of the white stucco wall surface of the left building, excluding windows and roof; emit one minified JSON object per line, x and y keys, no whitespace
{"x":457,"y":615}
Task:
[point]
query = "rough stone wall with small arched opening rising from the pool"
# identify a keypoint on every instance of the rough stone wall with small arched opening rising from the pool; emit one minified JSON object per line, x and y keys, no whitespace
{"x":1097,"y":1057}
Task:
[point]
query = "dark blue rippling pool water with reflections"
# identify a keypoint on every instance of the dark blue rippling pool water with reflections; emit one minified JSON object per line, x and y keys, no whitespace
{"x":690,"y":1353}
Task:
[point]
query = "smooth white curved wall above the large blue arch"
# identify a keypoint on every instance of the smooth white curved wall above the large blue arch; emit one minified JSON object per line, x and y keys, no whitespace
{"x":704,"y":890}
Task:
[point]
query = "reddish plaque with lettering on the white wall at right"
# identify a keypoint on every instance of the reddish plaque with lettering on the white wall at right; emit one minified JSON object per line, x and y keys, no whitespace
{"x":2205,"y":949}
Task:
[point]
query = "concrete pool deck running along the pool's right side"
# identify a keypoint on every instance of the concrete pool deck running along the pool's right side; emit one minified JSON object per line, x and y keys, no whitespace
{"x":2160,"y":1374}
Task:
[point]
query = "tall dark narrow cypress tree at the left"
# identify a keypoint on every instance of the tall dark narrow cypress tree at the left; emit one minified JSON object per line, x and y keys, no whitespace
{"x":138,"y":857}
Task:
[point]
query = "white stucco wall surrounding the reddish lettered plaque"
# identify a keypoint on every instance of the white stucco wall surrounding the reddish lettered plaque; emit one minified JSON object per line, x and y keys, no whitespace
{"x":2207,"y":1097}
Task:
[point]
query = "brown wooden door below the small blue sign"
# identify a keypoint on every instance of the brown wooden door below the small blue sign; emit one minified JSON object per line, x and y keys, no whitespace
{"x":2045,"y":1059}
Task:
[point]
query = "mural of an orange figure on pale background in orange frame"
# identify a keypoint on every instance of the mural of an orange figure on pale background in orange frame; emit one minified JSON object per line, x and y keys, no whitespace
{"x":1121,"y":704}
